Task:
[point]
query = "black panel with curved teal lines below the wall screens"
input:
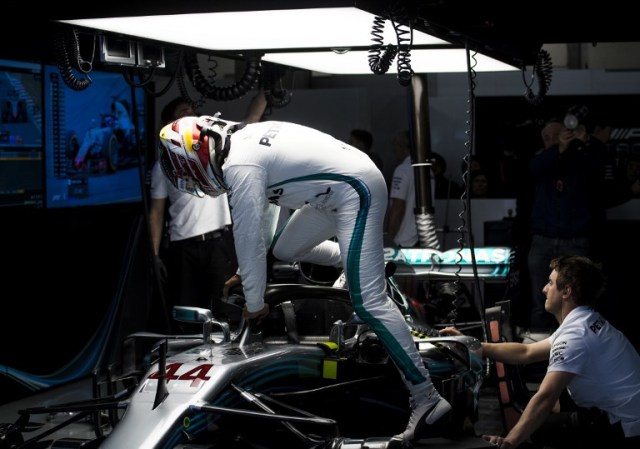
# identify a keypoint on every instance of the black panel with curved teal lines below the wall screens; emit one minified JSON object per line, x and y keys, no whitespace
{"x":76,"y":281}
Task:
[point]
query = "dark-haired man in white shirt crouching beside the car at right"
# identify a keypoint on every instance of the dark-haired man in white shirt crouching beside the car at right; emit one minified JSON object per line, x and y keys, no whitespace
{"x":594,"y":361}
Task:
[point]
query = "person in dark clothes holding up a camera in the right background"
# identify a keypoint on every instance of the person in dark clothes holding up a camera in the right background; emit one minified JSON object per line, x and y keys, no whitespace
{"x":568,"y":208}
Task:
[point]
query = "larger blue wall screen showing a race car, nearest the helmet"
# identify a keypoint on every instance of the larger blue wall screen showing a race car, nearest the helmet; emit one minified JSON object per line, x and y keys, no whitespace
{"x":95,"y":140}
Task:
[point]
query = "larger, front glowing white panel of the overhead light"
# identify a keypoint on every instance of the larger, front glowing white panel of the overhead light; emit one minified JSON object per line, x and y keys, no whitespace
{"x":255,"y":30}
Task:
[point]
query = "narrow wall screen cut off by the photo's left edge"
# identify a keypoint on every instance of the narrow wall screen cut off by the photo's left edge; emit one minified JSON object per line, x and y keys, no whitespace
{"x":21,"y":164}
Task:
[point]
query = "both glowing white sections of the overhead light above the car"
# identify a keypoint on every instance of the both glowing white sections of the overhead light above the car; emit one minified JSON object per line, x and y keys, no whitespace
{"x":273,"y":32}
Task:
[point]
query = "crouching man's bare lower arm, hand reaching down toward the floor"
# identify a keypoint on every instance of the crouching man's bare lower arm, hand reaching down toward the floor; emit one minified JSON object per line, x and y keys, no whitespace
{"x":536,"y":411}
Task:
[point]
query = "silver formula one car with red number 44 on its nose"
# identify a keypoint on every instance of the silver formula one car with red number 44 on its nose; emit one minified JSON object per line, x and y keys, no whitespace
{"x":310,"y":375}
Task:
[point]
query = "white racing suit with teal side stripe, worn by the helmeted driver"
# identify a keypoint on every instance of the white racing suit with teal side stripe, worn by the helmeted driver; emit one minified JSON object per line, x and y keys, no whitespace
{"x":336,"y":190}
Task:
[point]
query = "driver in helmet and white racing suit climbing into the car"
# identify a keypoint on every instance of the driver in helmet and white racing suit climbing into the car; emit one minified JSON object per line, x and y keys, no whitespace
{"x":335,"y":189}
